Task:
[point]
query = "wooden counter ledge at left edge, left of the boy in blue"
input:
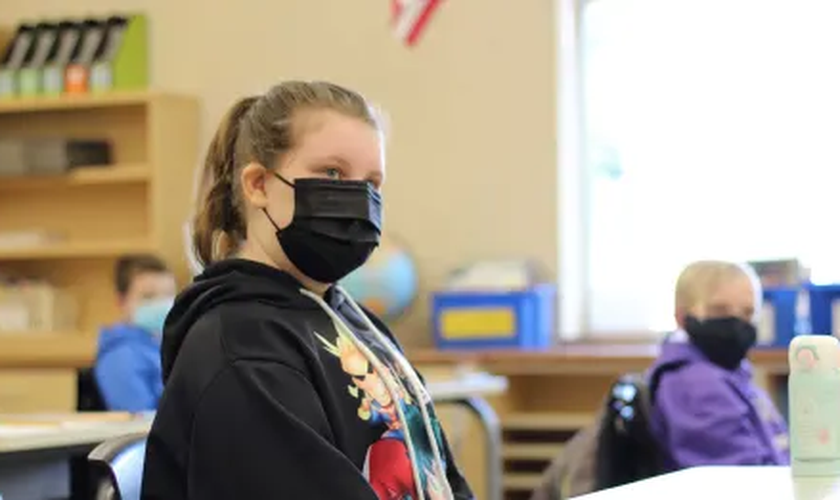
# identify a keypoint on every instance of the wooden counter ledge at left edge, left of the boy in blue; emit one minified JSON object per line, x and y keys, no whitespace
{"x":55,"y":350}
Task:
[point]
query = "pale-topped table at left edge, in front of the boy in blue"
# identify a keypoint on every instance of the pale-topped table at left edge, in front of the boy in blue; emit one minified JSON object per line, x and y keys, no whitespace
{"x":35,"y":450}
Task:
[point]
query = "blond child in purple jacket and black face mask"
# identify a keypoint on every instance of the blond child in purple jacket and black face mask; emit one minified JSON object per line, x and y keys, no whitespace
{"x":706,"y":408}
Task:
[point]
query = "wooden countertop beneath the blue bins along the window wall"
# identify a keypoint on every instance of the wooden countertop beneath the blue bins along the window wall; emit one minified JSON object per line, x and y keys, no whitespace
{"x":576,"y":358}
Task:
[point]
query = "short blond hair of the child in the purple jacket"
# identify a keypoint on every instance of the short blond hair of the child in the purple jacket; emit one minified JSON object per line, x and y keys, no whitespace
{"x":699,"y":280}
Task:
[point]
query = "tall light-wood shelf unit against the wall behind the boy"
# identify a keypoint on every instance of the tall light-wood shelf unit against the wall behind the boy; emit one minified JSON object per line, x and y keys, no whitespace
{"x":137,"y":204}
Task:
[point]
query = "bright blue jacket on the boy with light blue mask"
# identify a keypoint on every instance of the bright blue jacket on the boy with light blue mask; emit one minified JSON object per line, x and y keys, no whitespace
{"x":127,"y":369}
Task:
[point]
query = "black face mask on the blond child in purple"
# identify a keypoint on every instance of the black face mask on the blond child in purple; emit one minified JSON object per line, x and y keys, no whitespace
{"x":725,"y":341}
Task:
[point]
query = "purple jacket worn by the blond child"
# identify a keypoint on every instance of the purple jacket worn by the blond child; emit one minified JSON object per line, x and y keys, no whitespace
{"x":705,"y":415}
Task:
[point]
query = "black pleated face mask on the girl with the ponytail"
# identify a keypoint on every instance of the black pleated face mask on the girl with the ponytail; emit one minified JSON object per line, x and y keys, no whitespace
{"x":335,"y":227}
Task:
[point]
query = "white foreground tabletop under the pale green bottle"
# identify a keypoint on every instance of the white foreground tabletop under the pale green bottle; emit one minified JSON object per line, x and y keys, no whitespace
{"x":725,"y":483}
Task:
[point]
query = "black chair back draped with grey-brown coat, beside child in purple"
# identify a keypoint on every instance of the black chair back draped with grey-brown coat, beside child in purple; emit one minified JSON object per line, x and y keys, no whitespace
{"x":617,"y":448}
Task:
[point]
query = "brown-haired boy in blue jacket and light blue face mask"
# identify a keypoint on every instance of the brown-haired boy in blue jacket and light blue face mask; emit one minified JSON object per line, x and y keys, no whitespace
{"x":128,"y":370}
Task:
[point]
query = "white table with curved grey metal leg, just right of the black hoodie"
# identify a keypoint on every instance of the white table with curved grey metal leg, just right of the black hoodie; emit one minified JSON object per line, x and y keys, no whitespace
{"x":469,"y":391}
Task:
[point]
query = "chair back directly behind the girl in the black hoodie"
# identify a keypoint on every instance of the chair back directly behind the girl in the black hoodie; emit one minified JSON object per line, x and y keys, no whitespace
{"x":117,"y":467}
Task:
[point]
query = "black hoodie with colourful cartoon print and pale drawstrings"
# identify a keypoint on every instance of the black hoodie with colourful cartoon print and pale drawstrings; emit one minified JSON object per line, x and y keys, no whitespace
{"x":272,"y":393}
